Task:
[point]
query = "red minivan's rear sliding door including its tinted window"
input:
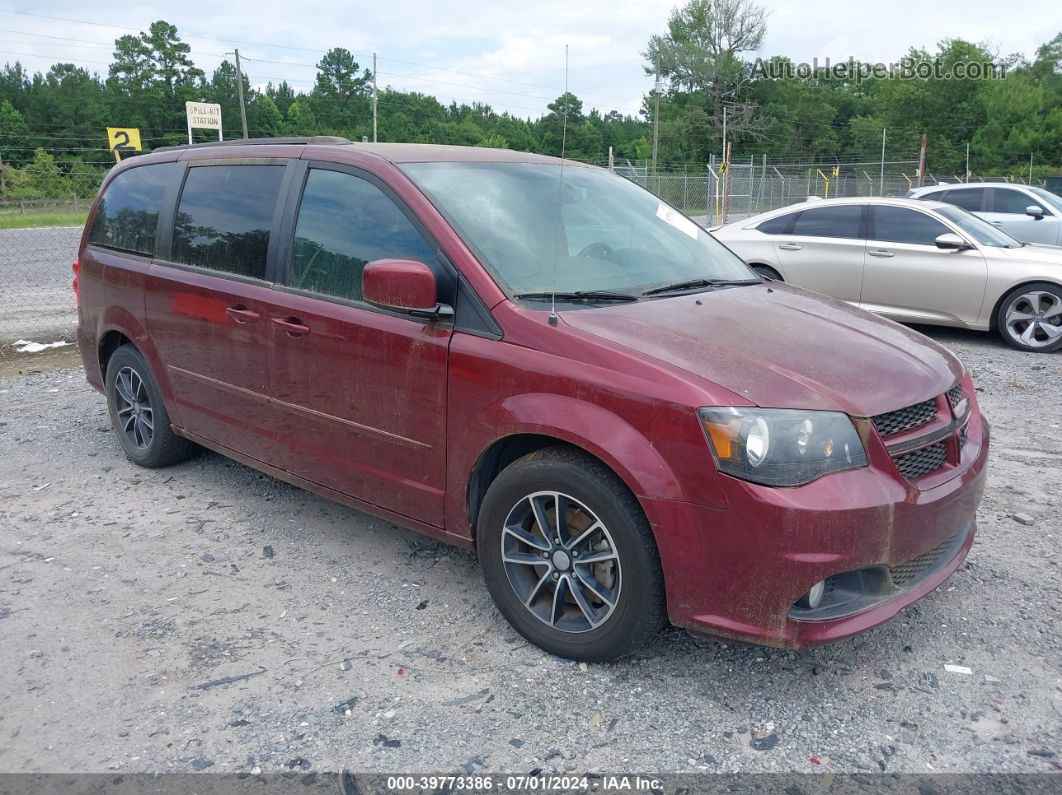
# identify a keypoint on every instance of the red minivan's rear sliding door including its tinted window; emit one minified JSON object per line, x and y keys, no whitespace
{"x":209,"y":303}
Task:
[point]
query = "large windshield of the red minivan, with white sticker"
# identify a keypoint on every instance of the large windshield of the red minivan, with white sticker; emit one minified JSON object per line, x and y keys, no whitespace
{"x":579,"y":232}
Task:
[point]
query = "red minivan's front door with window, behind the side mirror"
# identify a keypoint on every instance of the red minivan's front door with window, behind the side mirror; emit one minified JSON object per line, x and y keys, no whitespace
{"x":361,"y":393}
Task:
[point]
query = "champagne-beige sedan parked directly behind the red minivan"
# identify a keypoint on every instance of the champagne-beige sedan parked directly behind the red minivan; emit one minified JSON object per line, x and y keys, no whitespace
{"x":914,"y":262}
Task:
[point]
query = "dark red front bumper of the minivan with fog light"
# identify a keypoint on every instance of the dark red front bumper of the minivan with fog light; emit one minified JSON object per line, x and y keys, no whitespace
{"x":738,"y":573}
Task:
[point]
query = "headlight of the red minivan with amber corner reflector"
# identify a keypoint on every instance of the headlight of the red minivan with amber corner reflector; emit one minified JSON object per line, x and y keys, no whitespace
{"x":782,"y":447}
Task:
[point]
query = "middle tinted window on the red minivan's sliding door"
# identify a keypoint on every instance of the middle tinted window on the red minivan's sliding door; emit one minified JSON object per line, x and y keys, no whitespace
{"x":225,"y":218}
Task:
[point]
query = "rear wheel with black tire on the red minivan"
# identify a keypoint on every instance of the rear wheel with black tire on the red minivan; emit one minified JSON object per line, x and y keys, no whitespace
{"x":153,"y":447}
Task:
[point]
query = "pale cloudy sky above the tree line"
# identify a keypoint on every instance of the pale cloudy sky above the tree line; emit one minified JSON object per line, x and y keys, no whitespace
{"x":509,"y":54}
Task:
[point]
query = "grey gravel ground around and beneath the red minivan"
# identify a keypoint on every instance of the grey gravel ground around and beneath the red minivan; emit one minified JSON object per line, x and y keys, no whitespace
{"x":130,"y":597}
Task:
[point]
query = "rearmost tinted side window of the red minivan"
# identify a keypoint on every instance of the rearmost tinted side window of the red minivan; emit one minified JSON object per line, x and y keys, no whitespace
{"x":128,"y":214}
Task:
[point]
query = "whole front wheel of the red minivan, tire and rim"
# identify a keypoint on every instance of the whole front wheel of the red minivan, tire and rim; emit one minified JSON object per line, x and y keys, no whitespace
{"x":570,"y":558}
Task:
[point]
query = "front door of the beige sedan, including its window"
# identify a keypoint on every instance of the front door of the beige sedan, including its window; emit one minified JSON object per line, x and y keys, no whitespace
{"x":909,"y":279}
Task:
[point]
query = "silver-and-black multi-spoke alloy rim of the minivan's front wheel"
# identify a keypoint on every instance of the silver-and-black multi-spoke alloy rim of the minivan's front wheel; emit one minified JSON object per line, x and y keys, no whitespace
{"x":561,"y":562}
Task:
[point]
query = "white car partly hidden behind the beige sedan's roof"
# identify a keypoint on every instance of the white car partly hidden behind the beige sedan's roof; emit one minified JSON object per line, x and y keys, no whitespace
{"x":1032,"y":215}
